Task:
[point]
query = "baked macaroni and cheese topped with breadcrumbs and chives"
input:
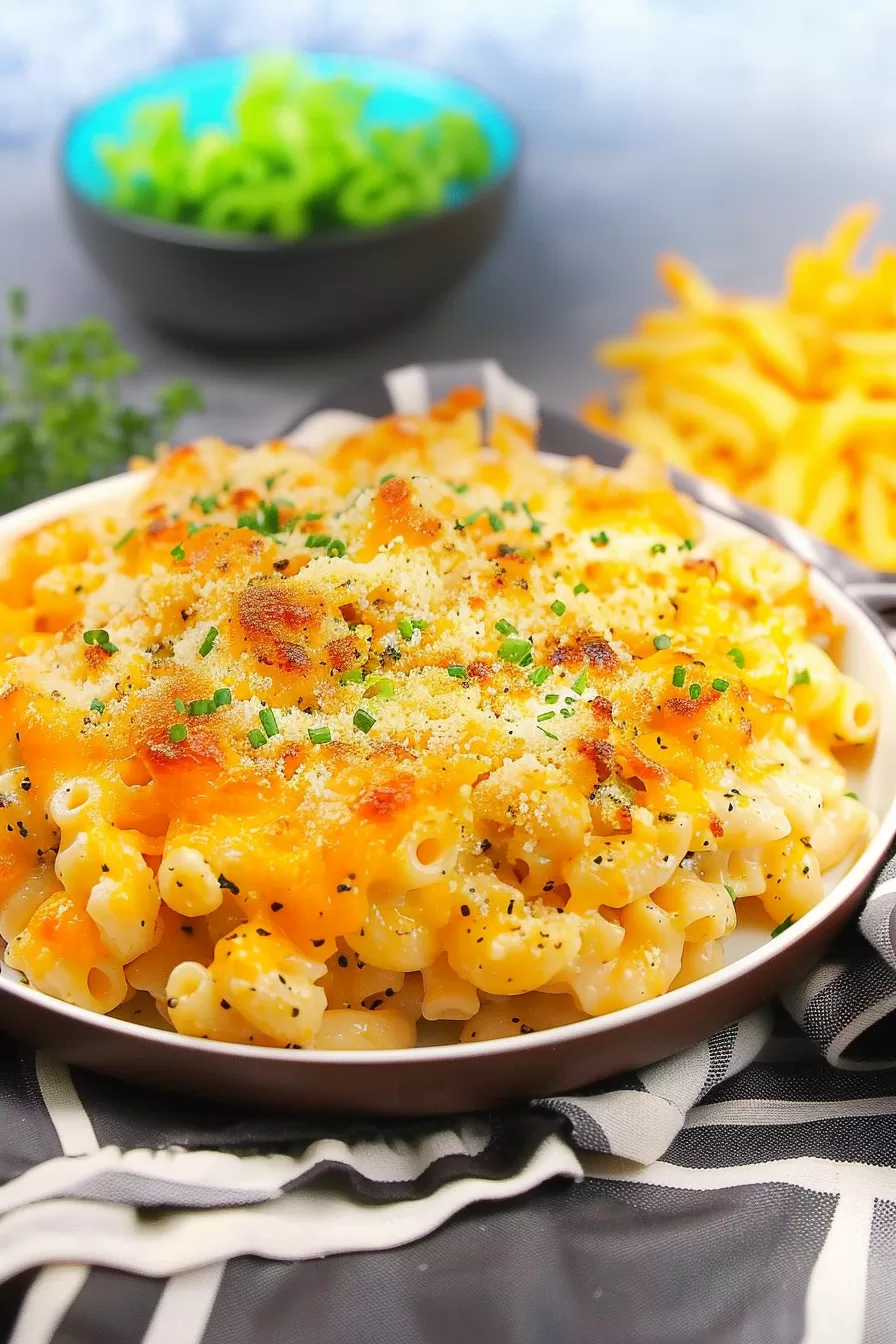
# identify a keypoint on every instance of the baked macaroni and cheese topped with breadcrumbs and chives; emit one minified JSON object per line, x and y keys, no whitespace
{"x":316,"y":749}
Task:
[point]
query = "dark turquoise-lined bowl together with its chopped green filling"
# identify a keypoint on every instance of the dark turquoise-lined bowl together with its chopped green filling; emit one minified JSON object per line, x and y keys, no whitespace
{"x":260,"y":201}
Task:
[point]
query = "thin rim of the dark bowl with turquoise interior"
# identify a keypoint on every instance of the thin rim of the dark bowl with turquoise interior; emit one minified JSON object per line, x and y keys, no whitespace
{"x":332,"y":240}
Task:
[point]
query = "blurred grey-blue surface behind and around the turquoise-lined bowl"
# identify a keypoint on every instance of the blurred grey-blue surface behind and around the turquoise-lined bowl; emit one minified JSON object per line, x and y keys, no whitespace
{"x":722,"y":130}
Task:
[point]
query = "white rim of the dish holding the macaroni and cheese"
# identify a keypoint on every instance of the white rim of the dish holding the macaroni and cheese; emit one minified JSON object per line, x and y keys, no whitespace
{"x":118,"y":489}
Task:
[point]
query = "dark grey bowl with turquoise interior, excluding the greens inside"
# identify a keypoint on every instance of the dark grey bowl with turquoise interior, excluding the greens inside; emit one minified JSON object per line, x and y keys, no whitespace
{"x":241,"y":290}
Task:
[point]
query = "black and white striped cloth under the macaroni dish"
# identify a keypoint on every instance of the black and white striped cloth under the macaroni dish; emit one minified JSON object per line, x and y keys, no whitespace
{"x":742,"y":1193}
